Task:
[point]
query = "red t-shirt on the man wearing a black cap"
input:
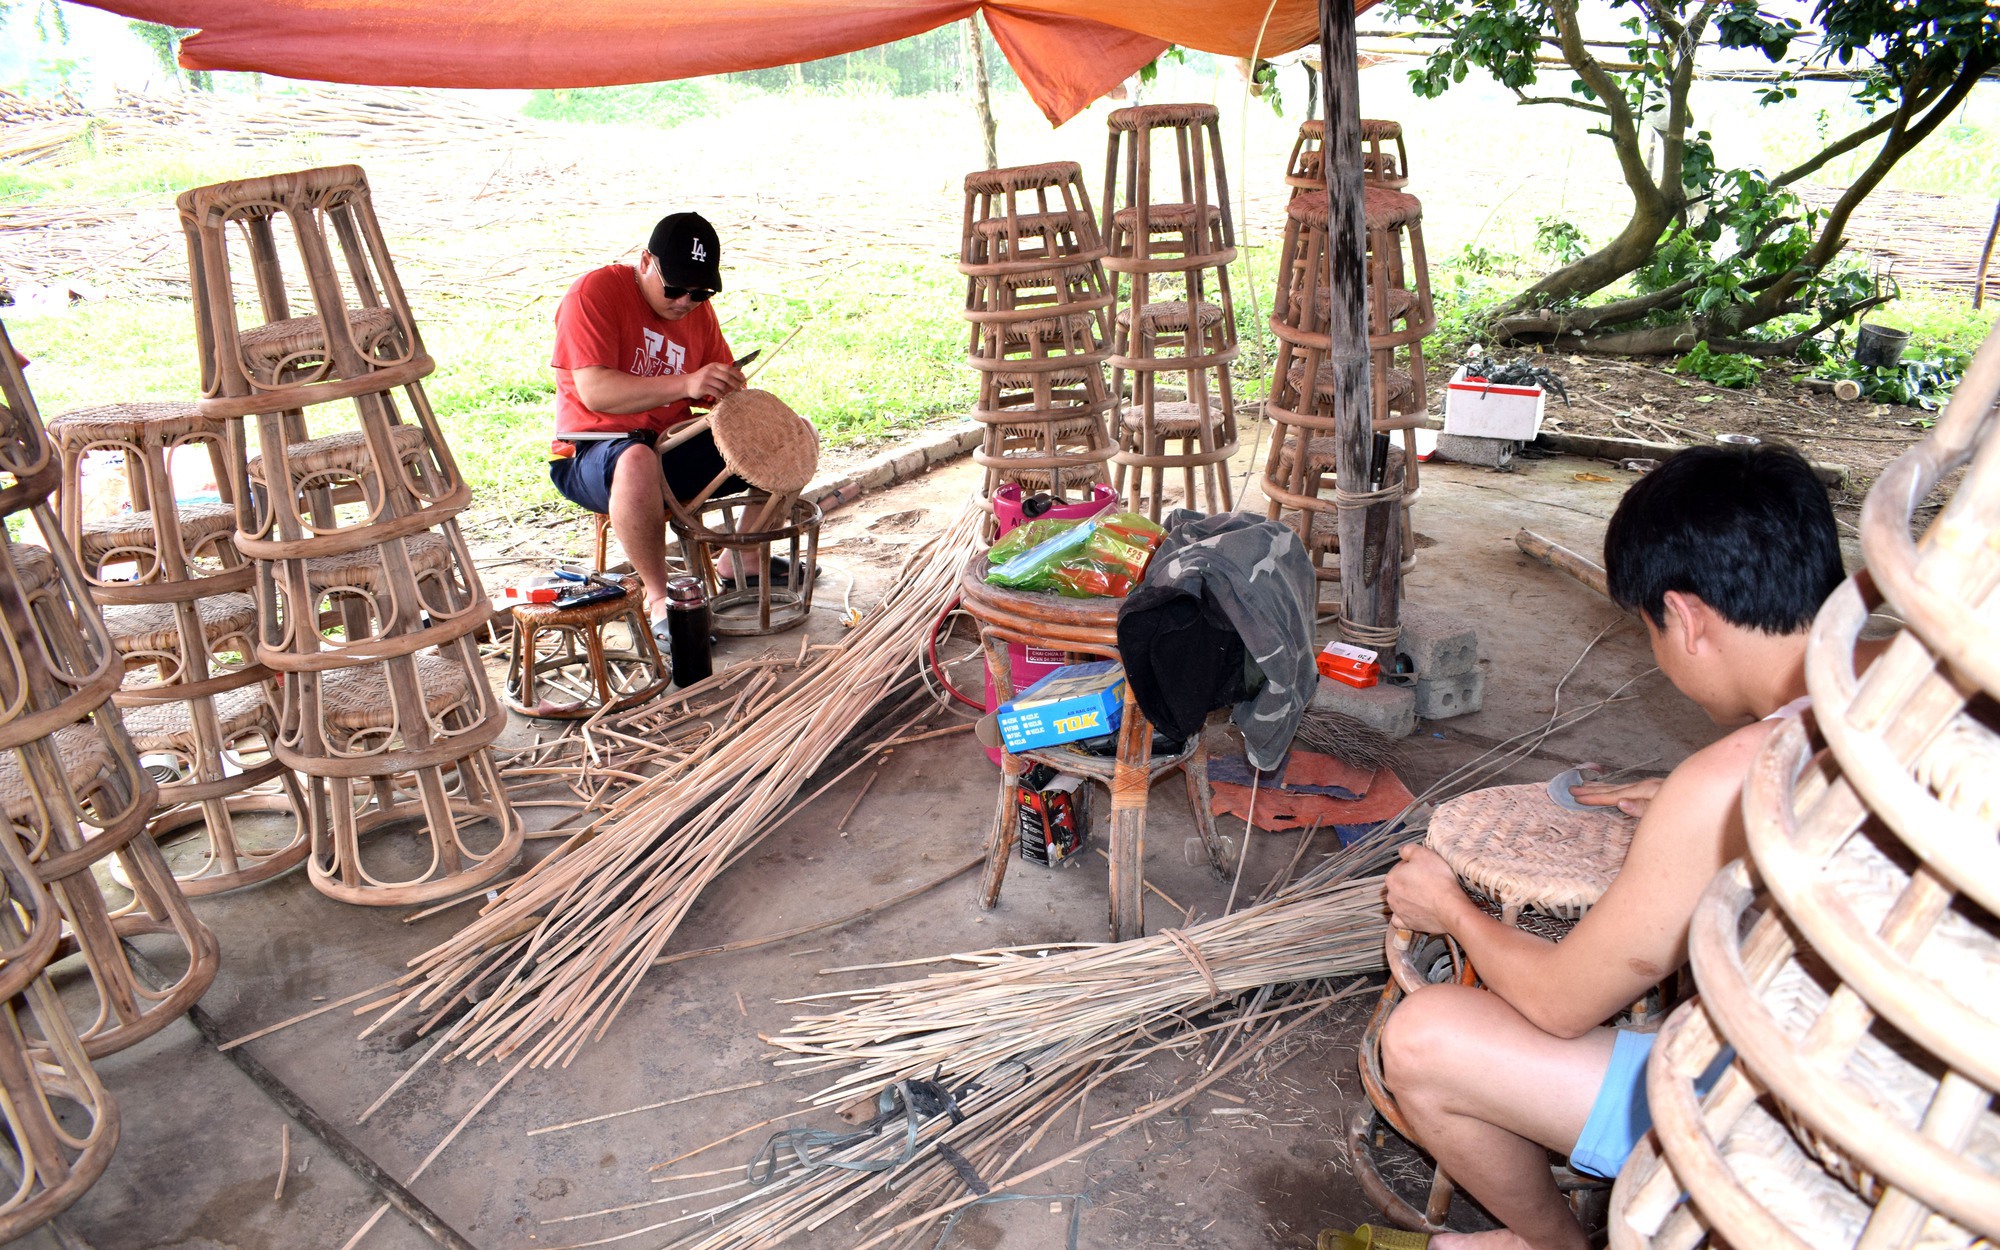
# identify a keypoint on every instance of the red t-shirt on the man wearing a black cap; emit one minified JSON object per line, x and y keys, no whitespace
{"x":605,"y":321}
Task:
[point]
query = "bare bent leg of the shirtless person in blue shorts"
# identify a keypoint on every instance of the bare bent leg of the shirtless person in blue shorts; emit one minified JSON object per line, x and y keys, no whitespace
{"x":1489,"y":1095}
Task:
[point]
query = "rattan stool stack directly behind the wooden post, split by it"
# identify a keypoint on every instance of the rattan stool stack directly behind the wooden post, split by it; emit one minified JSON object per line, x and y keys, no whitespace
{"x":1301,"y":469}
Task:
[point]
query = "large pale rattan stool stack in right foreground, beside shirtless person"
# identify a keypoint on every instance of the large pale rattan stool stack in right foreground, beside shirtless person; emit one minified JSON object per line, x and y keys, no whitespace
{"x":1833,"y":1085}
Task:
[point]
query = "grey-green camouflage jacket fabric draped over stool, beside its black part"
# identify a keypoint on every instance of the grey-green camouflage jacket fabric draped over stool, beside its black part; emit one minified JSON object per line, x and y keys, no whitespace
{"x":1259,"y":573}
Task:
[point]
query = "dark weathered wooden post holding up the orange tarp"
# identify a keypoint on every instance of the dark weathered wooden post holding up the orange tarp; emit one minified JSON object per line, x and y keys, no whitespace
{"x":1347,"y":245}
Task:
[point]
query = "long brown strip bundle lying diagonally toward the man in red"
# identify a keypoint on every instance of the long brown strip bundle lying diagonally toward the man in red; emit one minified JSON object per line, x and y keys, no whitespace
{"x":553,"y":961}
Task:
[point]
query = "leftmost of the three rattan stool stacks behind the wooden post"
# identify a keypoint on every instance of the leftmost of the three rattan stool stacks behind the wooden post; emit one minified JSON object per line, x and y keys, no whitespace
{"x":1039,"y":305}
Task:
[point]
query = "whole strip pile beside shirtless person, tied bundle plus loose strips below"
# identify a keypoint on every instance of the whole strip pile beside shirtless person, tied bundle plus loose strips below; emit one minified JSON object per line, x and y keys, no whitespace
{"x":1021,"y":1043}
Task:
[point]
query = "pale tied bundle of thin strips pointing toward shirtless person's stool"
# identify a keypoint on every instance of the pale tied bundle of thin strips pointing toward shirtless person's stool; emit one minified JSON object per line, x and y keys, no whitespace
{"x":965,"y":1023}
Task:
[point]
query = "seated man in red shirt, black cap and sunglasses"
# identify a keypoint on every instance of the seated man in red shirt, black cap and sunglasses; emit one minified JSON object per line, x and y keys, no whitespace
{"x":635,"y":345}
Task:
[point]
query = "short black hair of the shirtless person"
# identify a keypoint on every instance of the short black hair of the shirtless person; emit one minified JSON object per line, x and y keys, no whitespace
{"x":1747,"y":531}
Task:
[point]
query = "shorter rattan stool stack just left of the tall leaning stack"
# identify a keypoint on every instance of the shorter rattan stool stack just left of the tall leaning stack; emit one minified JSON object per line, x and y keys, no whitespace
{"x":177,"y":603}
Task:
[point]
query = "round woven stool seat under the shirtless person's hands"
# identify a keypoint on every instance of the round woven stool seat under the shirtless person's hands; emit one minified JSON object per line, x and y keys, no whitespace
{"x":1517,"y":849}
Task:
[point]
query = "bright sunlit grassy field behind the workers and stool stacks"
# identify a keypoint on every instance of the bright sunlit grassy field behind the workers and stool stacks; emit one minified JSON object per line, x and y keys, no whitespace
{"x":839,"y":211}
